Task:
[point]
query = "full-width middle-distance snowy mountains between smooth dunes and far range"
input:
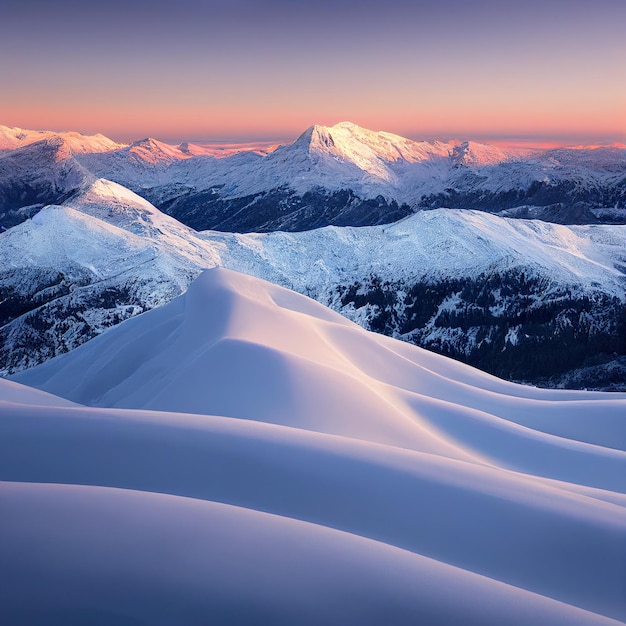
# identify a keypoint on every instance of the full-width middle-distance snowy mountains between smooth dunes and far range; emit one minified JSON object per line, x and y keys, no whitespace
{"x":524,"y":299}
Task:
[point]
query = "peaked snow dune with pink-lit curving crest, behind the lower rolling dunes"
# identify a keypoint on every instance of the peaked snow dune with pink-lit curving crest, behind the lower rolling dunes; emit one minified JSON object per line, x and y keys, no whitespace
{"x":237,"y":346}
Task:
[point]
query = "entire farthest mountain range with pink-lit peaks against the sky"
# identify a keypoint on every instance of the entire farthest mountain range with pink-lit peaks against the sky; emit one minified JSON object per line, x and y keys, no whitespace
{"x":340,"y":175}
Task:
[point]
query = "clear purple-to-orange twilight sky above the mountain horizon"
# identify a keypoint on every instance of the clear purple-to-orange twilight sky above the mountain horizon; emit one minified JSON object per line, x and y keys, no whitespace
{"x":261,"y":70}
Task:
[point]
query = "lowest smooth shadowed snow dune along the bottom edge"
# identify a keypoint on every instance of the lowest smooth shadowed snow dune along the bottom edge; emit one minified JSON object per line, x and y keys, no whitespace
{"x":91,"y":555}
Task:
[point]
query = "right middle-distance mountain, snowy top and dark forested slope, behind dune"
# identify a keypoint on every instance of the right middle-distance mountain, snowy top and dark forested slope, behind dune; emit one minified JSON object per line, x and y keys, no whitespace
{"x":526,"y":300}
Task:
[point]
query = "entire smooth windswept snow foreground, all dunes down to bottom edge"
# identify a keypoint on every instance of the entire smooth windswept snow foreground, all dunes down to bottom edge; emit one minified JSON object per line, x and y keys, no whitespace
{"x":364,"y":481}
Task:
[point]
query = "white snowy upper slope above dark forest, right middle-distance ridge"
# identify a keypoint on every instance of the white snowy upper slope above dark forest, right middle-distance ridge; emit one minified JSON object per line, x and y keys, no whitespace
{"x":434,"y":244}
